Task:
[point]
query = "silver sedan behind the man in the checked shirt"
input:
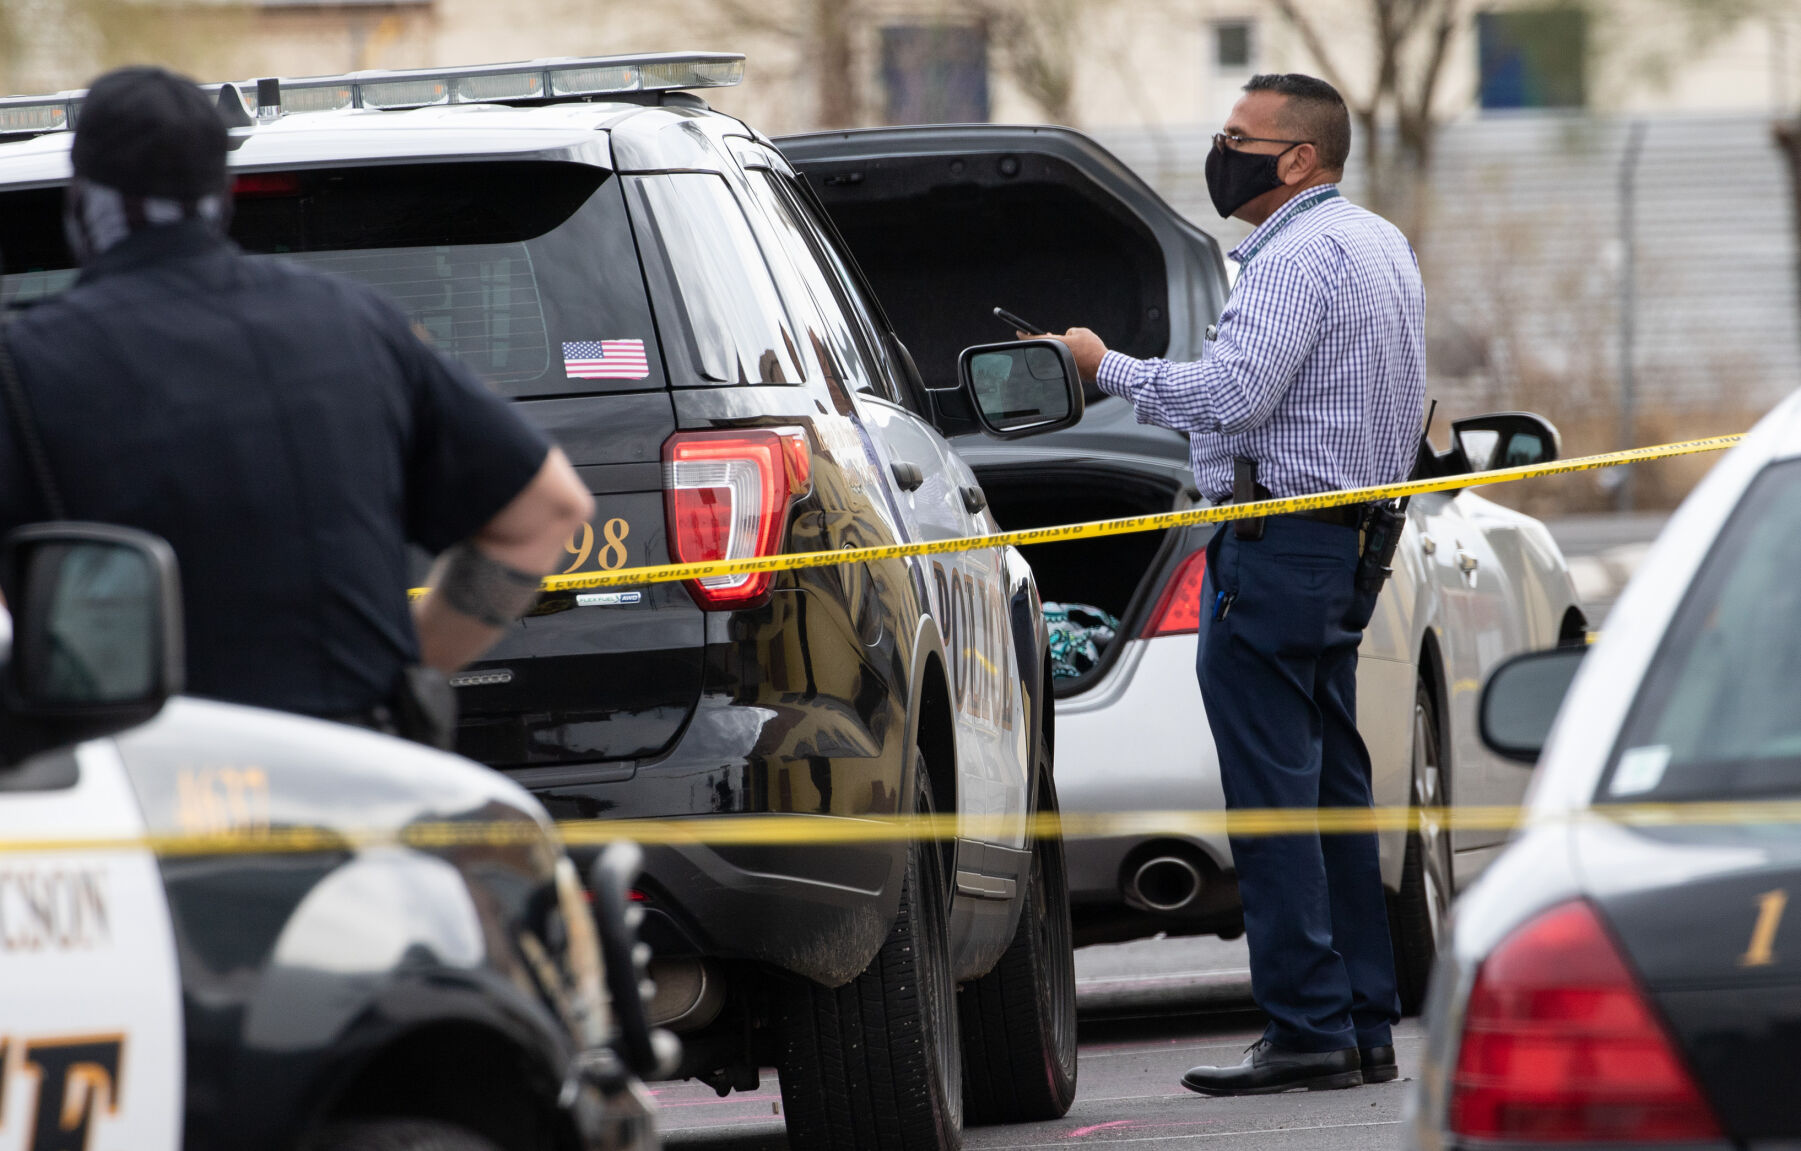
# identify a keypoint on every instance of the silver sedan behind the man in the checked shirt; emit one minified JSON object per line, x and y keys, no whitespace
{"x":1474,"y":585}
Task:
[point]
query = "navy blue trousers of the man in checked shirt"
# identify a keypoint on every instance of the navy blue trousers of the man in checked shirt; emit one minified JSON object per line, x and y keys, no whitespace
{"x":1281,"y":622}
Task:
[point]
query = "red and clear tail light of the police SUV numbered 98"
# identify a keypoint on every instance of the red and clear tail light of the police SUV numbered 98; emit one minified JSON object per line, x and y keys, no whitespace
{"x":729,"y":496}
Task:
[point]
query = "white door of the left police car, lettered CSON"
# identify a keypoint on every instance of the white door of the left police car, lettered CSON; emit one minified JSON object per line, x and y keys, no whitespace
{"x":91,"y":999}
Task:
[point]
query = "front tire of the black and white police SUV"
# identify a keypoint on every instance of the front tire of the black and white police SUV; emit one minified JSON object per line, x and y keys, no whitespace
{"x":1020,"y":1019}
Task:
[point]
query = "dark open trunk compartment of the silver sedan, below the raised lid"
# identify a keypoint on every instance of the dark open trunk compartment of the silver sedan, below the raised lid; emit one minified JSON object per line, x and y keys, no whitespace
{"x":1121,"y":575}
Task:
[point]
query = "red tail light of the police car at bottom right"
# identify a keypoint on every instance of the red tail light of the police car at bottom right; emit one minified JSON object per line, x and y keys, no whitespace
{"x":1561,"y":1046}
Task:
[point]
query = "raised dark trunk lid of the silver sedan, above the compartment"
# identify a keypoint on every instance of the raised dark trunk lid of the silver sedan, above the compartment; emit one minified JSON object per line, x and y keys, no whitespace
{"x":950,"y":222}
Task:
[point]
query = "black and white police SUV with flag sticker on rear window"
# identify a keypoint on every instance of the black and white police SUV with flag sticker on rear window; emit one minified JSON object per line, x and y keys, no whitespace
{"x":660,"y":293}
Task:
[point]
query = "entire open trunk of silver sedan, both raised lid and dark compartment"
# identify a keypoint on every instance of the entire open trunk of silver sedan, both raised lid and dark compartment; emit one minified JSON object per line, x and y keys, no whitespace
{"x":950,"y":222}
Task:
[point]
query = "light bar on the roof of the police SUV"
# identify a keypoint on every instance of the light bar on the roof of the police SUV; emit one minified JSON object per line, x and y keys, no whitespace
{"x":565,"y":78}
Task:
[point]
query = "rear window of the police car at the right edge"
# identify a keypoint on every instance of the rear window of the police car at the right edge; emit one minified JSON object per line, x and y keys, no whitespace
{"x":1719,"y":716}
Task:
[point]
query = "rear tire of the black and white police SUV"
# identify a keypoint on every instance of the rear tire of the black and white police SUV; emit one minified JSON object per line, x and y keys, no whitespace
{"x":876,"y":1064}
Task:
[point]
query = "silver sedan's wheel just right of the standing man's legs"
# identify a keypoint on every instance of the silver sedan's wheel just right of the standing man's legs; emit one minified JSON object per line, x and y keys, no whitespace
{"x":1418,"y":914}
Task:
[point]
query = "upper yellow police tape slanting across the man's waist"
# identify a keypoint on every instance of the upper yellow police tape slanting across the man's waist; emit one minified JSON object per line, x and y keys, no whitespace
{"x":664,"y":574}
